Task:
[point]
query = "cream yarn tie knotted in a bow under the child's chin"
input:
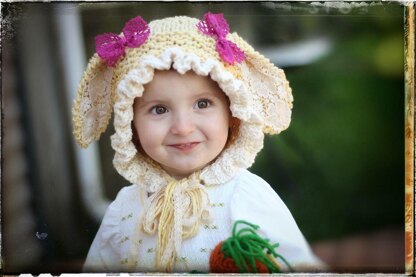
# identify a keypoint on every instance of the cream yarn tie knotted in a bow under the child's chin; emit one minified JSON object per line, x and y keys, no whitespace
{"x":176,"y":211}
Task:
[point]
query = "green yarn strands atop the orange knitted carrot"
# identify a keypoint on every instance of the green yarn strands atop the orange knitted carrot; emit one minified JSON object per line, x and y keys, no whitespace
{"x":245,"y":247}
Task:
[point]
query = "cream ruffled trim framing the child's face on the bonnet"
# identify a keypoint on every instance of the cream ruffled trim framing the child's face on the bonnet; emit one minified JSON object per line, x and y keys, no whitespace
{"x":139,"y":169}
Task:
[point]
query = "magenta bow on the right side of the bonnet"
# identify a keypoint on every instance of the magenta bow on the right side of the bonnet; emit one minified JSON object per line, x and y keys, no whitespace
{"x":215,"y":25}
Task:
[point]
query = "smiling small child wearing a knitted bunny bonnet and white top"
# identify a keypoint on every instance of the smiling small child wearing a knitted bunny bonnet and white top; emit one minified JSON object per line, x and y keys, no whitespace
{"x":191,"y":105}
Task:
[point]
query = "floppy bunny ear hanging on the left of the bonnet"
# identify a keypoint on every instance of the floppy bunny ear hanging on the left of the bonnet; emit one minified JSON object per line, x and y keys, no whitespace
{"x":93,"y":104}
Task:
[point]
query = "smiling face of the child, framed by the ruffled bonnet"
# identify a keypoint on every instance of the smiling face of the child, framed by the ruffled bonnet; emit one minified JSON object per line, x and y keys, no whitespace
{"x":182,"y":121}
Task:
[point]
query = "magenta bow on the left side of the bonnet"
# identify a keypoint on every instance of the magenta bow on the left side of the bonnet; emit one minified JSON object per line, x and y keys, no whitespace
{"x":111,"y":47}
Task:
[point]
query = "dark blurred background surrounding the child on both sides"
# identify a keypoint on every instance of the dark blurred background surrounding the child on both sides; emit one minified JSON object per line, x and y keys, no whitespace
{"x":339,"y":167}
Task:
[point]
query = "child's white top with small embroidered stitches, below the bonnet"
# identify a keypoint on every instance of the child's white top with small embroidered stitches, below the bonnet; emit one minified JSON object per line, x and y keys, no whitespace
{"x":245,"y":197}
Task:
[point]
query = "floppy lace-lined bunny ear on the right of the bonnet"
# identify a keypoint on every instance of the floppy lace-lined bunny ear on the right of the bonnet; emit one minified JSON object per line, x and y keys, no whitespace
{"x":269,"y":87}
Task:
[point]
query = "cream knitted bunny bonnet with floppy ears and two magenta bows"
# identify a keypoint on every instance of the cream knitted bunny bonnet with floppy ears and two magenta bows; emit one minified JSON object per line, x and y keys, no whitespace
{"x":259,"y":94}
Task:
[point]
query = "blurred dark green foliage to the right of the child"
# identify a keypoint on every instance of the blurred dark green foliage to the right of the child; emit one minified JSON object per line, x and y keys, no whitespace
{"x":340,"y":165}
